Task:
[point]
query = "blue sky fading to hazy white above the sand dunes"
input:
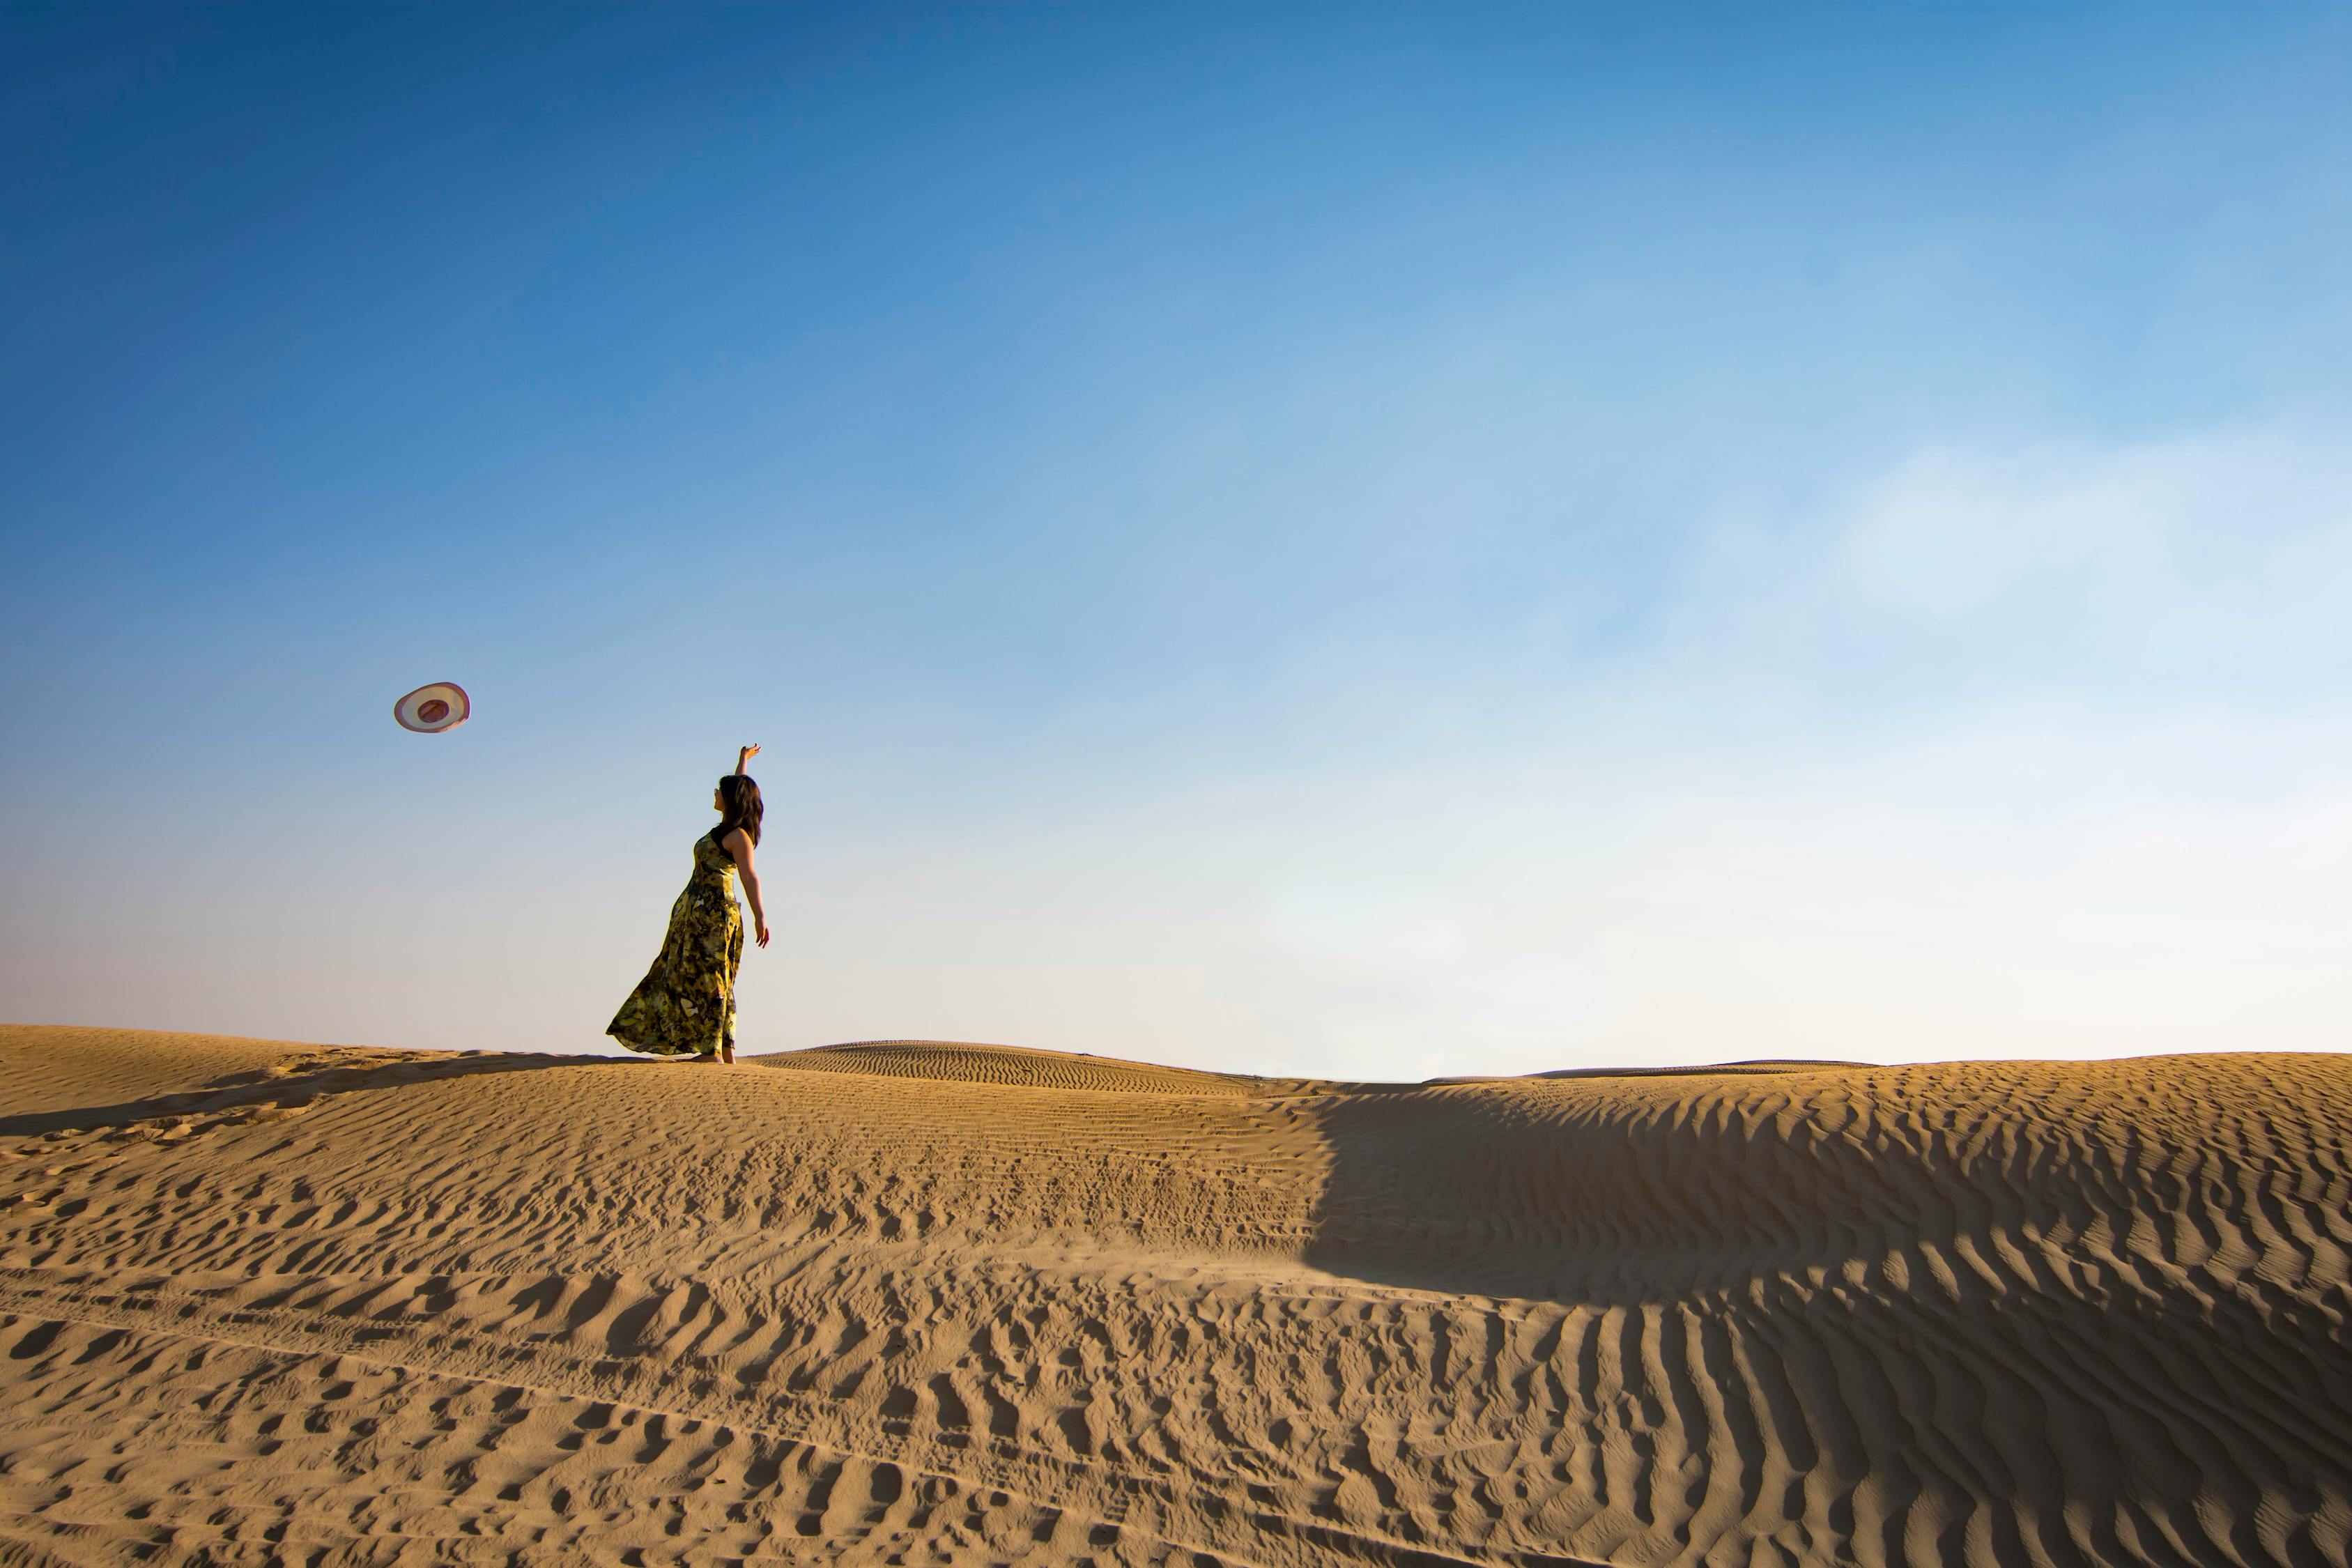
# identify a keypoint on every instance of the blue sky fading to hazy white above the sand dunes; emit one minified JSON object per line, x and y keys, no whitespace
{"x":1304,"y":540}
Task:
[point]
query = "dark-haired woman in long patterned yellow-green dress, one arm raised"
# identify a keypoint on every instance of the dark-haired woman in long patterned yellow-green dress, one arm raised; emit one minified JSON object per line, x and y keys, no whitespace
{"x":686,"y":1000}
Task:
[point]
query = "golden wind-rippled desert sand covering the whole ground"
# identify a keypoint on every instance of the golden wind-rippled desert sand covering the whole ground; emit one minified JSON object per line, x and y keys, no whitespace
{"x":933,"y":1304}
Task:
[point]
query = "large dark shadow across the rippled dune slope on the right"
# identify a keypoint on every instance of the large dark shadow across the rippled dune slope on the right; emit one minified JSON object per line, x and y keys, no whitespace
{"x":1909,"y":1296}
